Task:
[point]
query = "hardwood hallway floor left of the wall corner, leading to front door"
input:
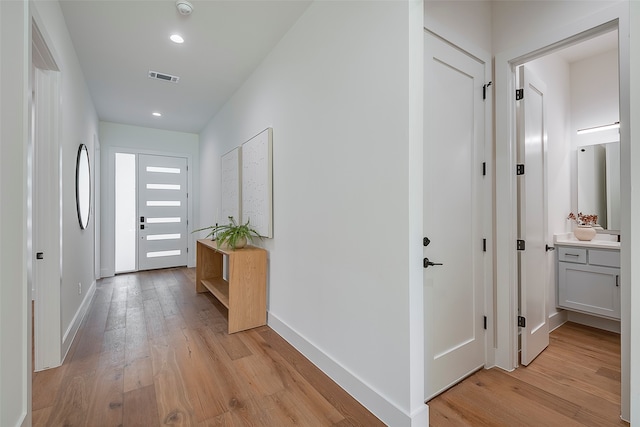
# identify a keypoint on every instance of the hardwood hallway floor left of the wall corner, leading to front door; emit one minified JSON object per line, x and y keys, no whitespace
{"x":152,"y":352}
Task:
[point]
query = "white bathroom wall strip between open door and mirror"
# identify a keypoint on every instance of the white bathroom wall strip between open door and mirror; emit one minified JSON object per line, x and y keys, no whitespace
{"x":555,"y":73}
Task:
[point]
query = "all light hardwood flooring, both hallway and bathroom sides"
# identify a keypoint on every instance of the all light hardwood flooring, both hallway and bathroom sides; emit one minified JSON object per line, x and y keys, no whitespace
{"x":152,"y":352}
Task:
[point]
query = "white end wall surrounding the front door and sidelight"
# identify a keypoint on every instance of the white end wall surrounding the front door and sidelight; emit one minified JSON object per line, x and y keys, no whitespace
{"x":127,"y":138}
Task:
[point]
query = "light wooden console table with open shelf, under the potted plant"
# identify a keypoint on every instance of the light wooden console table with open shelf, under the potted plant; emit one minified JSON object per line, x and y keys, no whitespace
{"x":245,"y":292}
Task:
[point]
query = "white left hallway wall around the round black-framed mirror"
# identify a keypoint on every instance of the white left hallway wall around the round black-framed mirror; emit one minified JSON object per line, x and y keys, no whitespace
{"x":79,"y":125}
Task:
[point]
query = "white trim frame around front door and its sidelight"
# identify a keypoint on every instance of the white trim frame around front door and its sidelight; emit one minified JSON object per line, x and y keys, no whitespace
{"x":107,"y":266}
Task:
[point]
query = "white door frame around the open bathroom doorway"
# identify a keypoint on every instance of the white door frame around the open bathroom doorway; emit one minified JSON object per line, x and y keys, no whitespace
{"x":616,"y":16}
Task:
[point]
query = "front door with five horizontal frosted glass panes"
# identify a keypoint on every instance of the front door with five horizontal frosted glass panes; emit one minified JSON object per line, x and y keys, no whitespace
{"x":162,"y":211}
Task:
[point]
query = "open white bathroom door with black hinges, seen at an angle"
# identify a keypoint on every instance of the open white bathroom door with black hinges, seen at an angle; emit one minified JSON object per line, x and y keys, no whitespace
{"x":532,"y":197}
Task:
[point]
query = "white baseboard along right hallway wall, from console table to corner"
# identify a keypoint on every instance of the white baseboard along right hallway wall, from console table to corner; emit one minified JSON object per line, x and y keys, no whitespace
{"x":382,"y":408}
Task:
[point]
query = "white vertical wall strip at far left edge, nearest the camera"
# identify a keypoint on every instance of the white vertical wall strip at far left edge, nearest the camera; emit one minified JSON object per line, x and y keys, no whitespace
{"x":15,"y":299}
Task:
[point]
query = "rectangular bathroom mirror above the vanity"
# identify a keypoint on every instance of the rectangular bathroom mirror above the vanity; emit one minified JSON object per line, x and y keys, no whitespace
{"x":599,"y":183}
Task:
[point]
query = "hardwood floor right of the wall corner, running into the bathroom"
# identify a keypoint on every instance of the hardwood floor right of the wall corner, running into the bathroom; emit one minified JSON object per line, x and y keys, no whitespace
{"x":574,"y":382}
